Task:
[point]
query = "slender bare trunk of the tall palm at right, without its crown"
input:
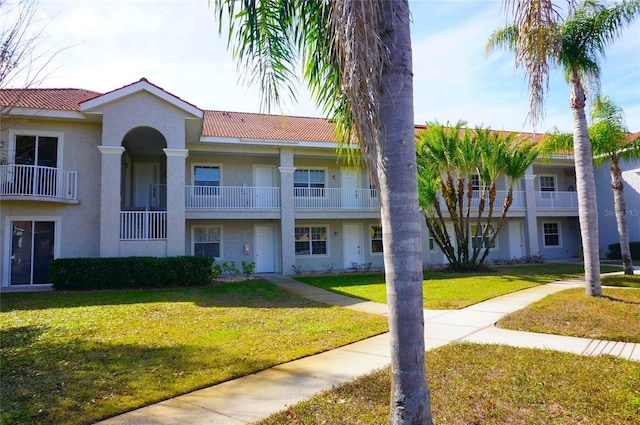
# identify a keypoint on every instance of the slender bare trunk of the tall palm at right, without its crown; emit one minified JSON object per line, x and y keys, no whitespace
{"x":585,"y":182}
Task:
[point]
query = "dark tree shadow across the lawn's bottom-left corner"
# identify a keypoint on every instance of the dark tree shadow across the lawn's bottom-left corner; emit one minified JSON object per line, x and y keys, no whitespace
{"x":82,"y":381}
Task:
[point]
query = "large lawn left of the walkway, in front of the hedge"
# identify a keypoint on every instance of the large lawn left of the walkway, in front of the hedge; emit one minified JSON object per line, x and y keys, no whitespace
{"x":74,"y":358}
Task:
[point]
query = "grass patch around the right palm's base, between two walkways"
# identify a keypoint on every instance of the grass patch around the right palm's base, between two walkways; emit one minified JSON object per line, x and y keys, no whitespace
{"x":614,"y":317}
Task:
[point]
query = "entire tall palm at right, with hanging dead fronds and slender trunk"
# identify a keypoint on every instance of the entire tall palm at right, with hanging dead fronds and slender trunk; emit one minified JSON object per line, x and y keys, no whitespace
{"x":538,"y":36}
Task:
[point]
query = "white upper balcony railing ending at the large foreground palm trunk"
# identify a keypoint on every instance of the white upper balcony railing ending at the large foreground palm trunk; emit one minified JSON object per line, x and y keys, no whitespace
{"x":339,"y":199}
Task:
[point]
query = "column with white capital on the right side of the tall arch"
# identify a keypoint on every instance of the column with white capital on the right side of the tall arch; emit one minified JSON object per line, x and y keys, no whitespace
{"x":176,"y":222}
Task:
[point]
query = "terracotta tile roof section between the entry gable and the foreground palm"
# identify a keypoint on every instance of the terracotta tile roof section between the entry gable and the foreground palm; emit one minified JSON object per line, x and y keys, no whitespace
{"x":269,"y":127}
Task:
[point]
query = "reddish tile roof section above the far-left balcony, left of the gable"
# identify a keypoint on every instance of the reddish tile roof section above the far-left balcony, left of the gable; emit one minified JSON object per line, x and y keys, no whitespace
{"x":55,"y":99}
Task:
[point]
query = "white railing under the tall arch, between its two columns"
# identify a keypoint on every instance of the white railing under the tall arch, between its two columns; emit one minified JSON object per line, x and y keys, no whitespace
{"x":143,"y":225}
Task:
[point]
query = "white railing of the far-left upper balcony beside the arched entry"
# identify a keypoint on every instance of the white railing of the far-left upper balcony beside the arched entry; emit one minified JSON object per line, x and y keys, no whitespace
{"x":33,"y":180}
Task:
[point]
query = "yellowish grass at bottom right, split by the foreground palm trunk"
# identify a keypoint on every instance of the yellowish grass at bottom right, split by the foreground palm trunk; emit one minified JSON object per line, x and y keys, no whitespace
{"x":491,"y":385}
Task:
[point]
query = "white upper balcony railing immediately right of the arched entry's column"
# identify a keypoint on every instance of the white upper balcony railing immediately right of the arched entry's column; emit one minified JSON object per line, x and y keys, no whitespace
{"x":232,"y":197}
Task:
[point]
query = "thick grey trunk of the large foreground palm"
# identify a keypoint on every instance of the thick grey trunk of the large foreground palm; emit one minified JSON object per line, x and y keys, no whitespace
{"x":395,"y":164}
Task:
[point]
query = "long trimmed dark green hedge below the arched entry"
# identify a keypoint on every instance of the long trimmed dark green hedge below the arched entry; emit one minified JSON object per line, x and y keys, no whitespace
{"x":129,"y":272}
